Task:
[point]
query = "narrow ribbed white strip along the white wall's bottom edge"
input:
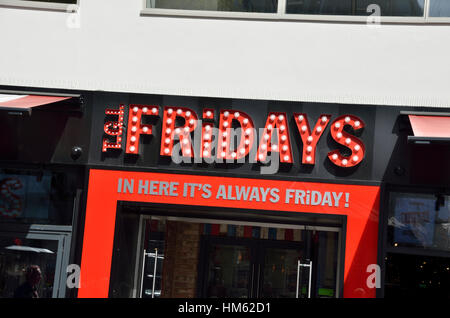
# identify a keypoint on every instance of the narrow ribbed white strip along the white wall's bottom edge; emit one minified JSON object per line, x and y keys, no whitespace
{"x":417,"y":100}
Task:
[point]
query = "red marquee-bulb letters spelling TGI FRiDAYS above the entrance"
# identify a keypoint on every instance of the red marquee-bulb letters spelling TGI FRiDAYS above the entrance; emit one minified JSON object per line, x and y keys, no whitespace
{"x":178,"y":123}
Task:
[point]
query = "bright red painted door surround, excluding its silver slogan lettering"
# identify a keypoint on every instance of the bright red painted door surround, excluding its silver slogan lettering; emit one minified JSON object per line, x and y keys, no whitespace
{"x":362,"y":214}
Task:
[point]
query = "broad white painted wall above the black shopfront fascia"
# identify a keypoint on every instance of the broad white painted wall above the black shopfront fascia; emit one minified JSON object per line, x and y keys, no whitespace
{"x":116,"y":49}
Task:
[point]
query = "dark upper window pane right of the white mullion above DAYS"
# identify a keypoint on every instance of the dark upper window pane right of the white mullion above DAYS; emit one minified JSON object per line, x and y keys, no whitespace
{"x":411,"y":8}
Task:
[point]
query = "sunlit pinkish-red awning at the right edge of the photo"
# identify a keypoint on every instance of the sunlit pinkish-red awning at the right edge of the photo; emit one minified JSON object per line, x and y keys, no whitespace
{"x":430,"y":126}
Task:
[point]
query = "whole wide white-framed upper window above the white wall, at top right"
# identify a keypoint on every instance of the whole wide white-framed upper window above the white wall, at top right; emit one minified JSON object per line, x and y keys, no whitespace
{"x":414,"y":11}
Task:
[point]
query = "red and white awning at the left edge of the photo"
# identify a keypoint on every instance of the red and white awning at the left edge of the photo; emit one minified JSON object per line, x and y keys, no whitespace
{"x":26,"y":102}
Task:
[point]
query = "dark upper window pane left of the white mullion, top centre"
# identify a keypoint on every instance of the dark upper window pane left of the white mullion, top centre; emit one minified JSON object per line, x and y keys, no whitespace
{"x":267,"y":6}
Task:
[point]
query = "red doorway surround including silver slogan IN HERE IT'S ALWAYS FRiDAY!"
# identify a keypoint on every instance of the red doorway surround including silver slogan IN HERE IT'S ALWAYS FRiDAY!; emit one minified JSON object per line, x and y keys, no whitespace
{"x":358,"y":203}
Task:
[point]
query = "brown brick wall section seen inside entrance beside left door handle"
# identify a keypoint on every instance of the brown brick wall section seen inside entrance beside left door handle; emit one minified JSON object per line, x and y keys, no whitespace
{"x":181,"y":260}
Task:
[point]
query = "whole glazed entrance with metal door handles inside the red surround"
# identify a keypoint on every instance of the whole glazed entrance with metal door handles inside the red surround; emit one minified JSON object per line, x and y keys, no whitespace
{"x":188,"y":257}
